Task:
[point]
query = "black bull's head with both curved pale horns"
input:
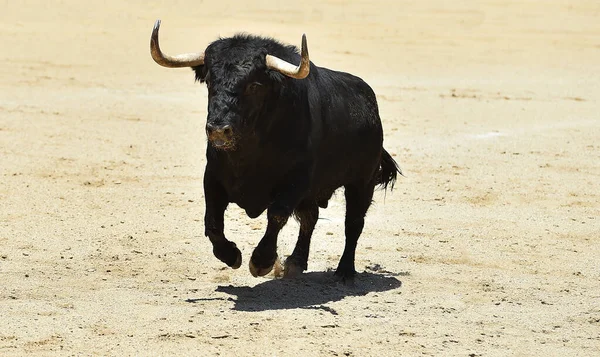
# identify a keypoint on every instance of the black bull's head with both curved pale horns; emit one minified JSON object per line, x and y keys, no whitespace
{"x":239,"y":81}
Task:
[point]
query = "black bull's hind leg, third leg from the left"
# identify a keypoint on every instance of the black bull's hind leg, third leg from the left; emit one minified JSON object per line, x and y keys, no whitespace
{"x":296,"y":263}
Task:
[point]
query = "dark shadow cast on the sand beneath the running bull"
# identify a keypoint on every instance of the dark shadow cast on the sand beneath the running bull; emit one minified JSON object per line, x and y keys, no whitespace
{"x":309,"y":291}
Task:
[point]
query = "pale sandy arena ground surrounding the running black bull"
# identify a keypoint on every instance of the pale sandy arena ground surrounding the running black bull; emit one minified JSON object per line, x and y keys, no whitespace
{"x":488,"y":246}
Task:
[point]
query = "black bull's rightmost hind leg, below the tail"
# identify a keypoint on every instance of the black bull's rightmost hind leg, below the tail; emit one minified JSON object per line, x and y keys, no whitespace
{"x":358,"y":200}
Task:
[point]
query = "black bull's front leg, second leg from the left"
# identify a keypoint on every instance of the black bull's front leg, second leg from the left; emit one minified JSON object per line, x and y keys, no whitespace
{"x":278,"y":213}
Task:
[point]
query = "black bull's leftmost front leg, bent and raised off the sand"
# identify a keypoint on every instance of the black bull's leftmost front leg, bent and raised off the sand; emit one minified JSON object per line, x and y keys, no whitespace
{"x":216,"y":202}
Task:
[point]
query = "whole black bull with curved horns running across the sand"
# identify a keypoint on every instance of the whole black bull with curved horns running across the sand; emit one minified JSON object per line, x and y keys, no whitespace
{"x":284,"y":144}
